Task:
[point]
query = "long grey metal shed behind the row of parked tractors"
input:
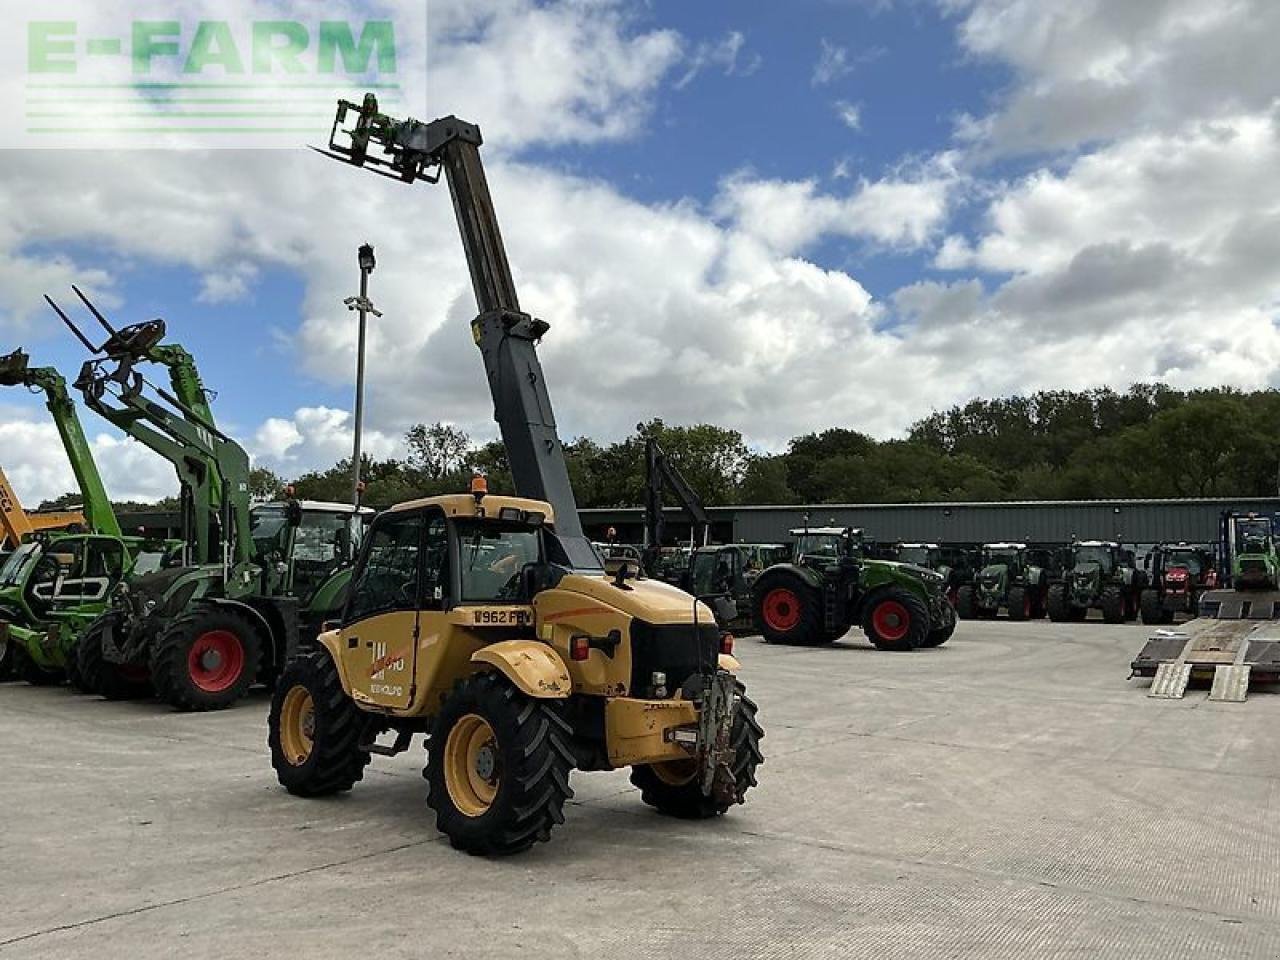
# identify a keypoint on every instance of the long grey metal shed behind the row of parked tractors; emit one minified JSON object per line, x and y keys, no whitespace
{"x":1130,"y":522}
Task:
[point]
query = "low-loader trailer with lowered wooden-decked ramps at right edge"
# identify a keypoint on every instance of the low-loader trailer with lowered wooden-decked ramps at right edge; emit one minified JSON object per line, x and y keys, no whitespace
{"x":1237,"y":643}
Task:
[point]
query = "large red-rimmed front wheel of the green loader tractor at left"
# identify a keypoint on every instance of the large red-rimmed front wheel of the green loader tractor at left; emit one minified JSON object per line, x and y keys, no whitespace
{"x":205,"y":660}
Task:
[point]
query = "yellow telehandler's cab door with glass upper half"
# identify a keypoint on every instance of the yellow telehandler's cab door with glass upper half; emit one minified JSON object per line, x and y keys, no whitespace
{"x":381,"y":624}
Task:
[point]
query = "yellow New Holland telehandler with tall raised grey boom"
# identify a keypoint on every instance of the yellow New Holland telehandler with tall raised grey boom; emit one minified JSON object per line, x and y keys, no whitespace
{"x":488,"y":624}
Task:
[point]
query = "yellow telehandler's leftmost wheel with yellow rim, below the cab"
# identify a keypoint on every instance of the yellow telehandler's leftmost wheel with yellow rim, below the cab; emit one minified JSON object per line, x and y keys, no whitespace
{"x":314,"y":729}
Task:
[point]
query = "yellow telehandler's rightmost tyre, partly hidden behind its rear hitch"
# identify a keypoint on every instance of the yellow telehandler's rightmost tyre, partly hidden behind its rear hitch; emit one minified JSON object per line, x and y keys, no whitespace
{"x":673,"y":788}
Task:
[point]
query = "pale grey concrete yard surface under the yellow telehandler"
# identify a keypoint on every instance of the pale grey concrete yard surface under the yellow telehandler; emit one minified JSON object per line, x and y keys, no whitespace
{"x":1008,"y":796}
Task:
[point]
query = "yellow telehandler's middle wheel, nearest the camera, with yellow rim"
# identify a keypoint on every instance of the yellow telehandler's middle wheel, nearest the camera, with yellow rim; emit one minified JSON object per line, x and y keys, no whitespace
{"x":497,"y":767}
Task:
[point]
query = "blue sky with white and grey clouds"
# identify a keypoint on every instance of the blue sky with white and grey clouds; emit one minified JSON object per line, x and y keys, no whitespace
{"x":772,"y":217}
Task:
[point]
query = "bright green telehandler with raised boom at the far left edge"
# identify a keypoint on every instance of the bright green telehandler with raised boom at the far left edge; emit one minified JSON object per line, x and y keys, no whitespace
{"x":56,"y":584}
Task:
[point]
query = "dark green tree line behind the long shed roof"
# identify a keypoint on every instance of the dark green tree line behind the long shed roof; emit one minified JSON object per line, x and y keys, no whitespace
{"x":1150,"y":441}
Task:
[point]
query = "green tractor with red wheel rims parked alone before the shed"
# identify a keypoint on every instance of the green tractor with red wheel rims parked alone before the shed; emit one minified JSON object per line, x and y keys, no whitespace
{"x":830,"y":586}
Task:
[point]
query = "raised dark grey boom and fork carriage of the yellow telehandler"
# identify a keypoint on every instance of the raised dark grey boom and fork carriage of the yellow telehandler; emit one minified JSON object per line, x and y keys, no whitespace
{"x":506,"y":336}
